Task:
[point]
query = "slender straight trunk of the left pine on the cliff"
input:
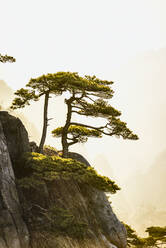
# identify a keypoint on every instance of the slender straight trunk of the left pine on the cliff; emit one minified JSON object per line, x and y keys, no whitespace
{"x":45,"y":123}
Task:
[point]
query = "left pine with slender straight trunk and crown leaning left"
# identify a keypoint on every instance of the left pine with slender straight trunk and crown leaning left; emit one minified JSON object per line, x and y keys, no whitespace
{"x":42,"y":86}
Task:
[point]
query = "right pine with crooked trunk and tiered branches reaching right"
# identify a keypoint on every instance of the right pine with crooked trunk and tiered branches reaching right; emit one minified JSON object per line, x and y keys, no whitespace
{"x":88,"y":97}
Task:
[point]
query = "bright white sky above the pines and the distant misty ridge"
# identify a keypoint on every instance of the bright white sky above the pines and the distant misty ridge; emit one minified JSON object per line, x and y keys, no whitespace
{"x":90,"y":36}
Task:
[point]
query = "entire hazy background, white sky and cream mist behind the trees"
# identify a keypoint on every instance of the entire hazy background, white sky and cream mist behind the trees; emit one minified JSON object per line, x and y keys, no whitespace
{"x":123,"y":41}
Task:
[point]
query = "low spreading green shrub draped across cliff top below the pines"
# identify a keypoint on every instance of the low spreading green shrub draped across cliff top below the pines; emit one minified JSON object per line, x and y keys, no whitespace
{"x":39,"y":169}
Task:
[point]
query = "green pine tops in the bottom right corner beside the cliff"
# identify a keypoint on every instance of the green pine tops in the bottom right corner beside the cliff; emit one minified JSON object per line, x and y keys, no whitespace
{"x":156,"y":237}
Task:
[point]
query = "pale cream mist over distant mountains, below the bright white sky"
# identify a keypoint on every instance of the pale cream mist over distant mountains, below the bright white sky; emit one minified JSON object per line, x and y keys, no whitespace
{"x":139,"y":167}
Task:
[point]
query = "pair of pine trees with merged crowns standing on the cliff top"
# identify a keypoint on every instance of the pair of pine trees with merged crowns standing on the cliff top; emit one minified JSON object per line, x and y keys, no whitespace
{"x":87,"y":96}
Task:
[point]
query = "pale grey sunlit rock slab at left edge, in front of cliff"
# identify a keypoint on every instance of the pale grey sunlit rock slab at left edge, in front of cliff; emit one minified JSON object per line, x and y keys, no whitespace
{"x":13,"y":230}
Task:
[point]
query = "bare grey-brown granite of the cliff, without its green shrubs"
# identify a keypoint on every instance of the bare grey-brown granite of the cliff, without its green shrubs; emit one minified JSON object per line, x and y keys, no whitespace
{"x":24,"y":225}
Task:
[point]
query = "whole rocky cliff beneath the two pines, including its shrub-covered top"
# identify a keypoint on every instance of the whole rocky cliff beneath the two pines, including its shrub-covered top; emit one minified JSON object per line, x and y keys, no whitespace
{"x":44,"y":204}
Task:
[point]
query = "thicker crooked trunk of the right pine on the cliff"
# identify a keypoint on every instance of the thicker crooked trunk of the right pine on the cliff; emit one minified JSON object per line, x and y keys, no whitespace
{"x":65,"y":145}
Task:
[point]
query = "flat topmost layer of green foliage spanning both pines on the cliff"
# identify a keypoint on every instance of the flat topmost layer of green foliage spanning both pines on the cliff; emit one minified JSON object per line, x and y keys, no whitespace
{"x":59,"y":82}
